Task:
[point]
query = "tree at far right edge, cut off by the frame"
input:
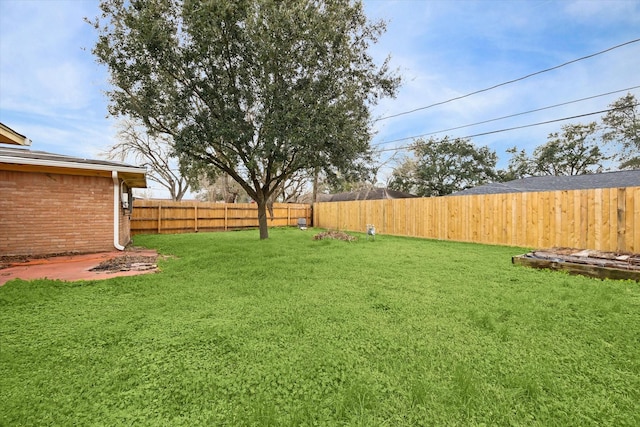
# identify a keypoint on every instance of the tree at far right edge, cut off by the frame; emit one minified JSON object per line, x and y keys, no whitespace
{"x":622,"y":128}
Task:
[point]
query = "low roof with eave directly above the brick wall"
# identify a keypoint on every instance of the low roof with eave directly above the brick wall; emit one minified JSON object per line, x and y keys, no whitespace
{"x":21,"y":159}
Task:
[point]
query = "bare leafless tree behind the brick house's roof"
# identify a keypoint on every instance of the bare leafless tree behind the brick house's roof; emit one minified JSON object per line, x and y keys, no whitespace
{"x":155,"y":153}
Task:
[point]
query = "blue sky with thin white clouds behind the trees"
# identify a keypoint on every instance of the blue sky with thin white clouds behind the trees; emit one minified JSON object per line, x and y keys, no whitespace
{"x":52,"y":90}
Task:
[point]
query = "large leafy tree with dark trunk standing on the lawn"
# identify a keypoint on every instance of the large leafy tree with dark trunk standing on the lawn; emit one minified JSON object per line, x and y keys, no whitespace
{"x":260,"y":89}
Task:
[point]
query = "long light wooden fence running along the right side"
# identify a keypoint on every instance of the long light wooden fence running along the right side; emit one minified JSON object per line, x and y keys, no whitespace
{"x":603,"y":219}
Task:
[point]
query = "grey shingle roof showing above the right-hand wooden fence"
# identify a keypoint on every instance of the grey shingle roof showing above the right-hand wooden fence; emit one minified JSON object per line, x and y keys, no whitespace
{"x":627,"y":178}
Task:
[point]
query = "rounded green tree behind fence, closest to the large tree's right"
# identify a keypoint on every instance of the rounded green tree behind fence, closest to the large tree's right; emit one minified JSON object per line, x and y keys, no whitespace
{"x":444,"y":166}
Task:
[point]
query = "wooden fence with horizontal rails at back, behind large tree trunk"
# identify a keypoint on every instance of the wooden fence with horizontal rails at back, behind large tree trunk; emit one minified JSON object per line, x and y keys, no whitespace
{"x":166,"y":217}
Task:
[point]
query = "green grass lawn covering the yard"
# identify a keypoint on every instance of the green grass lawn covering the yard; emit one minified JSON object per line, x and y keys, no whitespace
{"x":292,"y":331}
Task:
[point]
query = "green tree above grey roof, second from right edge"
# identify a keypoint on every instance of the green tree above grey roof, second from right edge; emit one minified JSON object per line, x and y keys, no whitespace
{"x":574,"y":151}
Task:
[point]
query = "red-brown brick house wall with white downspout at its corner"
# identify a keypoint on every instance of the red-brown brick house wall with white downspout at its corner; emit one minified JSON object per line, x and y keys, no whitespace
{"x":52,"y":213}
